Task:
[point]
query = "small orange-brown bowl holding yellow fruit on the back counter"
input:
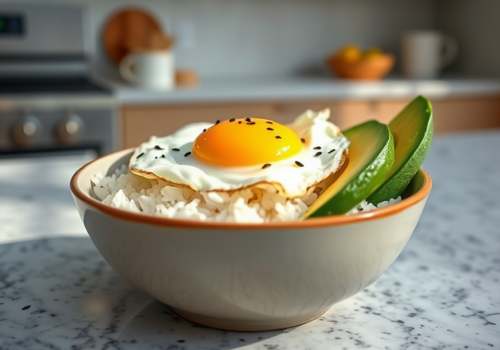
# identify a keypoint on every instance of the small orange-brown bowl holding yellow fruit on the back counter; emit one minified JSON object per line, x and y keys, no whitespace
{"x":371,"y":68}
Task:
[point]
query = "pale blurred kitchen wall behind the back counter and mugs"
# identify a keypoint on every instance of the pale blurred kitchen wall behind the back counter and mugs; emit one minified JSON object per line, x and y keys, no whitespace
{"x":291,"y":37}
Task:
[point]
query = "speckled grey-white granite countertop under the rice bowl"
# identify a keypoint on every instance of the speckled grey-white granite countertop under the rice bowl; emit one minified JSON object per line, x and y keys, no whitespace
{"x":56,"y":292}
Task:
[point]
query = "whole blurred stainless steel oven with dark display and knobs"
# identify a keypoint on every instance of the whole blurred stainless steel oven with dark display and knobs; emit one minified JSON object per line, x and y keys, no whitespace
{"x":49,"y":103}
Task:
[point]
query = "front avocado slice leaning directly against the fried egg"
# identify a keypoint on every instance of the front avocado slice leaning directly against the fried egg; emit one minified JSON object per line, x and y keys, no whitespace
{"x":371,"y":155}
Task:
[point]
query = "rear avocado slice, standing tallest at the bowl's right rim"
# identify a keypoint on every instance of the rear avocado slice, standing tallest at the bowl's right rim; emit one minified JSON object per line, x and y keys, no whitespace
{"x":412,"y":130}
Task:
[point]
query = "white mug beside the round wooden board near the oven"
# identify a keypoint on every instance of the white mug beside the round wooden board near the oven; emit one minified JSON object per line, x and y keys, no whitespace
{"x":152,"y":70}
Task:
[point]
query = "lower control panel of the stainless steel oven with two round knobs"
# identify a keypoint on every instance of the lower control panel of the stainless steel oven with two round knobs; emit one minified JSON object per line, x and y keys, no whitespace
{"x":40,"y":126}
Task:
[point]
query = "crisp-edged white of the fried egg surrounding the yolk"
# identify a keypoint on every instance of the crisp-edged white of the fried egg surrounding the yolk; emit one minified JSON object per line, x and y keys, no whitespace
{"x":157,"y":159}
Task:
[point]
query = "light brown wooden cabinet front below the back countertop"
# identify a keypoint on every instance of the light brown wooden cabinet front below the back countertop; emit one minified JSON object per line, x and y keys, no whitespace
{"x":139,"y":122}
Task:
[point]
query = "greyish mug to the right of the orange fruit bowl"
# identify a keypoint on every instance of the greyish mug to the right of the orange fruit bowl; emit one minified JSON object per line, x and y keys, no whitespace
{"x":425,"y":53}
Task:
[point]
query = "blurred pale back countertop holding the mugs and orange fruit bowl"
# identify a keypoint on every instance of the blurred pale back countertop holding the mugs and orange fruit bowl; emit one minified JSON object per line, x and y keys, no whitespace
{"x":266,"y":89}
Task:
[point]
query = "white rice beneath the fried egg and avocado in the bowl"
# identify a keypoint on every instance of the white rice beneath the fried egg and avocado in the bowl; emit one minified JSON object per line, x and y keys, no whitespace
{"x":127,"y":191}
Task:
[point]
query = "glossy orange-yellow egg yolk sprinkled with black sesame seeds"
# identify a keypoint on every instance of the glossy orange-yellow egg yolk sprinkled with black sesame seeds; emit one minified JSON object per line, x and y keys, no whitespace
{"x":246,"y":142}
